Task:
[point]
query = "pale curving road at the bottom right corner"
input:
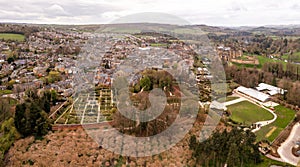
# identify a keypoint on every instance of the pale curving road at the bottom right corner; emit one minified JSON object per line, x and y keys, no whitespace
{"x":285,"y":150}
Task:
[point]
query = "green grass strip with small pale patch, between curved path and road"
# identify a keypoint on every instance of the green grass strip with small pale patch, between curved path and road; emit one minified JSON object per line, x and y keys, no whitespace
{"x":270,"y":132}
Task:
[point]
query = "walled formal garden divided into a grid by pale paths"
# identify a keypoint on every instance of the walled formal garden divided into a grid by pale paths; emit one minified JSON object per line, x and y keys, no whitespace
{"x":88,"y":107}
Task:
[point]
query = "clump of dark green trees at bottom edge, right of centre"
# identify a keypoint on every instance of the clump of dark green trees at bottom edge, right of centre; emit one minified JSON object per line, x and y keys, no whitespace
{"x":234,"y":148}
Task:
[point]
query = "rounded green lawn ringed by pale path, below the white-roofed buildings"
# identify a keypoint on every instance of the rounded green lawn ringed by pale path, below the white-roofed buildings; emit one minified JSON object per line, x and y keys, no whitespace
{"x":248,"y":113}
